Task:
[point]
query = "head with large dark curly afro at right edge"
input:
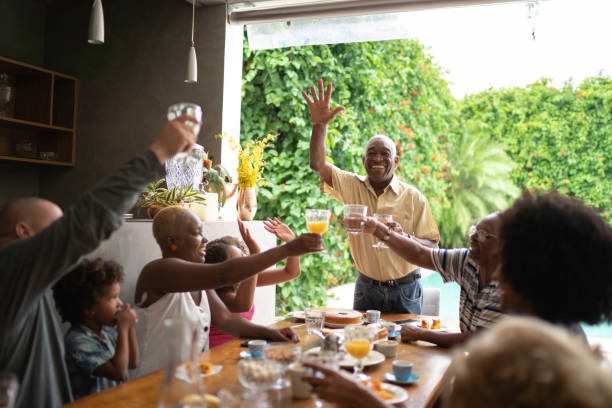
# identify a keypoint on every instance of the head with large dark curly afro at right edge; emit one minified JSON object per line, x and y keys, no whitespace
{"x":556,"y":260}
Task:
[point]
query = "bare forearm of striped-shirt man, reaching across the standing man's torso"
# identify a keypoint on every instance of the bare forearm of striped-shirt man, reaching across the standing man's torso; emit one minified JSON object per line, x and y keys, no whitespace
{"x":403,"y":245}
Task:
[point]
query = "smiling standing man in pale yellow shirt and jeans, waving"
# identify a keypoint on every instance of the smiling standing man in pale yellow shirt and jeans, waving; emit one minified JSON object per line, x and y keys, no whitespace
{"x":386,"y":282}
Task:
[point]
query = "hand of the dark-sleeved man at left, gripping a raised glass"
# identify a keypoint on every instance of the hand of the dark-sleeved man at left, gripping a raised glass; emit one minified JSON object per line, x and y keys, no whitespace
{"x":174,"y":138}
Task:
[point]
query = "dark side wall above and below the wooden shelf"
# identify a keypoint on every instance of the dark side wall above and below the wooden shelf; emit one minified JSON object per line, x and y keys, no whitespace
{"x":22,"y":27}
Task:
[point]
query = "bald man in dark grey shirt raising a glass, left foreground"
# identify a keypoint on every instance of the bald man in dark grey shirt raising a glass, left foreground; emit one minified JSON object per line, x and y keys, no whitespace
{"x":39,"y":244}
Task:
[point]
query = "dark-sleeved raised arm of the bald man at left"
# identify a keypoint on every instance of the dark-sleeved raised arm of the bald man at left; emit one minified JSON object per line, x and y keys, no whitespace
{"x":31,"y":265}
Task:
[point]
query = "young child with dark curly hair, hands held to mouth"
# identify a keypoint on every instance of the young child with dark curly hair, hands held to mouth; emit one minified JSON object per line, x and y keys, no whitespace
{"x":98,"y":354}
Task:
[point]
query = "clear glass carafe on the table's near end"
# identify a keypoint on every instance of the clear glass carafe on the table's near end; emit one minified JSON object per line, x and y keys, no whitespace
{"x":182,"y":385}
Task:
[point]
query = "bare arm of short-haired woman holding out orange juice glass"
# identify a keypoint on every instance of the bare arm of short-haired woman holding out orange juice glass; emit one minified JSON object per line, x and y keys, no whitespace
{"x":170,"y":275}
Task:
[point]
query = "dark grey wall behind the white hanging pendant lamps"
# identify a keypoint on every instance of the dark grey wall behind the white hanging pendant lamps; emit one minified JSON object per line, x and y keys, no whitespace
{"x":127,"y":84}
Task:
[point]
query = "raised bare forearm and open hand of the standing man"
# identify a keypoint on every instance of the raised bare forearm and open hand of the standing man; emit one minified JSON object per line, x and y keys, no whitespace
{"x":321,"y":115}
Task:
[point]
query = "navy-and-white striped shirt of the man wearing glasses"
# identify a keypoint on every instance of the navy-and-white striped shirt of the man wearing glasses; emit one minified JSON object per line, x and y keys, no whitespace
{"x":477,"y":308}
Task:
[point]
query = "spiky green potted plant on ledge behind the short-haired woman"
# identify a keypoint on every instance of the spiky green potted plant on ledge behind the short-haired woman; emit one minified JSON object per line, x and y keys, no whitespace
{"x":156,"y":197}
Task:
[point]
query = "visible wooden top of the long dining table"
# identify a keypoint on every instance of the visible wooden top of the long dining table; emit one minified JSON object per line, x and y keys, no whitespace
{"x":430,"y":364}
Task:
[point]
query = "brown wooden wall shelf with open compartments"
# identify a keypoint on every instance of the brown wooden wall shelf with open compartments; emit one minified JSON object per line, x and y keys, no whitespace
{"x":42,"y":118}
